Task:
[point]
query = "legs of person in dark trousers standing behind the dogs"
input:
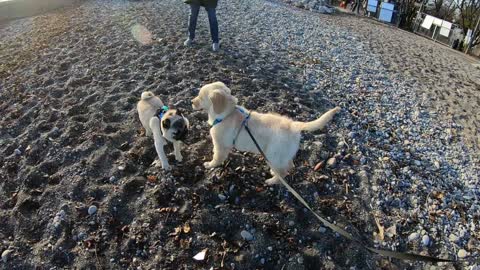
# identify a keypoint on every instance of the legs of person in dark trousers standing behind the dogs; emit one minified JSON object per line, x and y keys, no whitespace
{"x":210,"y":6}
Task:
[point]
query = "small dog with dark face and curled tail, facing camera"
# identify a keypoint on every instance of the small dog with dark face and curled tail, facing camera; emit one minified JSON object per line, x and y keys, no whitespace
{"x":163,"y":124}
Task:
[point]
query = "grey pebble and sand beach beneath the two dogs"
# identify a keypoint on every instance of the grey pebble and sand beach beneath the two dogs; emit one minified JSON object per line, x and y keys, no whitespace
{"x":397,"y":167}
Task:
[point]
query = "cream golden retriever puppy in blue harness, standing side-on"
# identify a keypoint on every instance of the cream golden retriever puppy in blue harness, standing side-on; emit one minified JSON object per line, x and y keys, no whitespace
{"x":278,"y":136}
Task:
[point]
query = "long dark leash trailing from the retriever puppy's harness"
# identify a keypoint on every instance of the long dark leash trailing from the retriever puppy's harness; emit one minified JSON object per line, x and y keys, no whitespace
{"x":335,"y":228}
